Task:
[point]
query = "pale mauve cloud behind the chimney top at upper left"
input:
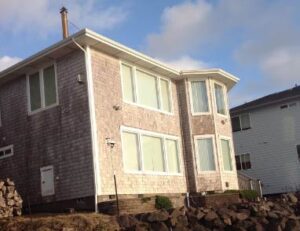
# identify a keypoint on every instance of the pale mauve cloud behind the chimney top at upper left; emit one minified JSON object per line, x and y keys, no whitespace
{"x":42,"y":16}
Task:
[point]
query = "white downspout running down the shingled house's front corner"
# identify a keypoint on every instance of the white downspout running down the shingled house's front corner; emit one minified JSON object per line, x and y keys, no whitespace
{"x":93,"y":122}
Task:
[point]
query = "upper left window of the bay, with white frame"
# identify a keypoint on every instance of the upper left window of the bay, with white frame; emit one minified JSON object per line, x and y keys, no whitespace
{"x":199,"y":97}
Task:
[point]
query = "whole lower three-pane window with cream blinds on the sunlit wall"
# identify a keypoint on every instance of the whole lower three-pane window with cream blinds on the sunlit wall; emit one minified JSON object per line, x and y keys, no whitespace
{"x":149,"y":152}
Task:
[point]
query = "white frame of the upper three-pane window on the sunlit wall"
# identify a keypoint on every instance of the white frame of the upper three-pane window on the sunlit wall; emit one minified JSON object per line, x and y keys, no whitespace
{"x":136,"y":91}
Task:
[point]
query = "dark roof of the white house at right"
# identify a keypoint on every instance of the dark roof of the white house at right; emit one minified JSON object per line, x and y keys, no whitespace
{"x":277,"y":97}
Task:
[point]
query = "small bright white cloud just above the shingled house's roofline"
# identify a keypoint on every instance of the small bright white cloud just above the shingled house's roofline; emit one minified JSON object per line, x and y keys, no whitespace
{"x":186,"y":63}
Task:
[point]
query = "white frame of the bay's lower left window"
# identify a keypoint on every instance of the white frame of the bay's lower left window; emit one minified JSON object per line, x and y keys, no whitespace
{"x":208,"y":136}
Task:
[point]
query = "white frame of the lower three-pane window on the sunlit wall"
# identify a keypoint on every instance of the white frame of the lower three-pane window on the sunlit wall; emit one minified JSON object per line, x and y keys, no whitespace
{"x":163,"y":137}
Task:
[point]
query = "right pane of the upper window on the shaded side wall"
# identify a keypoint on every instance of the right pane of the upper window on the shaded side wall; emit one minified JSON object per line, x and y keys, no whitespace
{"x":49,"y":86}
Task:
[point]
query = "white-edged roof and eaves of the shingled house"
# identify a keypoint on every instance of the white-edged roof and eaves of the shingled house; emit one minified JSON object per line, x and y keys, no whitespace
{"x":86,"y":37}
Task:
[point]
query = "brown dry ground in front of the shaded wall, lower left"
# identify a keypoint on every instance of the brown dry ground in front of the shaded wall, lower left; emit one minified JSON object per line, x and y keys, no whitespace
{"x":60,"y":222}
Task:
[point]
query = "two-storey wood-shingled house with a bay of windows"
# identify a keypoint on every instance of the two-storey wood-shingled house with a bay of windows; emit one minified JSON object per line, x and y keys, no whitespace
{"x":171,"y":129}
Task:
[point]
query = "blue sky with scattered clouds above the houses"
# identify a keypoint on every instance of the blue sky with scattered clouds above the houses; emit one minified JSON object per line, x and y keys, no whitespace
{"x":256,"y":40}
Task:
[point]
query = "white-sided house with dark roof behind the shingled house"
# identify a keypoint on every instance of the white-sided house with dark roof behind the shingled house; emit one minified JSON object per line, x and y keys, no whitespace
{"x":267,"y":140}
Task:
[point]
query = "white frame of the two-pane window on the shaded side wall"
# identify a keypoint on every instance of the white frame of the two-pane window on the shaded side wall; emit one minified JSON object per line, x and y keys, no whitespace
{"x":40,"y":71}
